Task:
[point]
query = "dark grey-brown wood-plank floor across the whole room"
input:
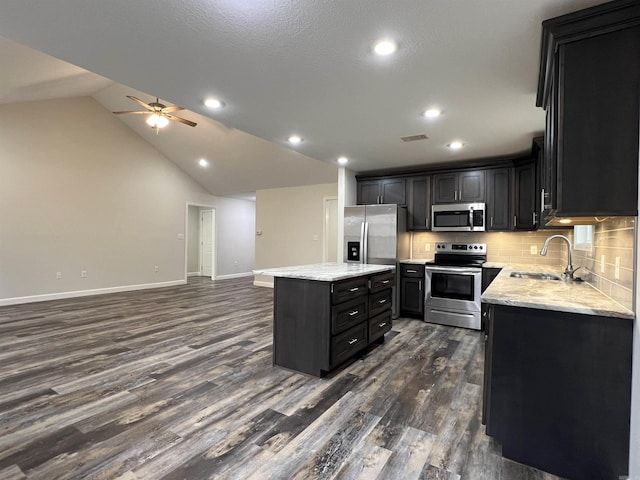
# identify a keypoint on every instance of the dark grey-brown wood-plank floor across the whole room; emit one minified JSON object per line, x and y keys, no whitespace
{"x":177,"y":383}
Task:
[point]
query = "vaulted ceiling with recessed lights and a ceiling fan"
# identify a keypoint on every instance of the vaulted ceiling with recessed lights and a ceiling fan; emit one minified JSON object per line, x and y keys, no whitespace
{"x":283,"y":68}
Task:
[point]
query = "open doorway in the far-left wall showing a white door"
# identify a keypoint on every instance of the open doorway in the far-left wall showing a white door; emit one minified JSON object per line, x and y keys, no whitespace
{"x":200,"y":244}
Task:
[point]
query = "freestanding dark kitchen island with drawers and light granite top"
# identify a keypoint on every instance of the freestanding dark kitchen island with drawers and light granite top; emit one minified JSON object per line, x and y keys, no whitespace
{"x":324,"y":314}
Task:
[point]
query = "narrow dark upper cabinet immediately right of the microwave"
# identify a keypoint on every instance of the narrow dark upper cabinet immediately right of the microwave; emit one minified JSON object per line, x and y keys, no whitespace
{"x":498,"y":196}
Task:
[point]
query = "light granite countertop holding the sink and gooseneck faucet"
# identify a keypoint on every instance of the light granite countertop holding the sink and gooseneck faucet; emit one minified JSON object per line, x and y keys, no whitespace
{"x":558,"y":295}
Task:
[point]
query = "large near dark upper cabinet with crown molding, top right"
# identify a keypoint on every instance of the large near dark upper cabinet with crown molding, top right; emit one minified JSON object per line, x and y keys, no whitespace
{"x":589,"y":84}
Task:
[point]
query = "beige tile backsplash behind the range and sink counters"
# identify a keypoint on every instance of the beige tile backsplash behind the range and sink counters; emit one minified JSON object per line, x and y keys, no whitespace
{"x":613,"y":238}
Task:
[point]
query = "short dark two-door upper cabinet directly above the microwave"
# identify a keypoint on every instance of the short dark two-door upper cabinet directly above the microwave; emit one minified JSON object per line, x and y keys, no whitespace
{"x":467,"y":186}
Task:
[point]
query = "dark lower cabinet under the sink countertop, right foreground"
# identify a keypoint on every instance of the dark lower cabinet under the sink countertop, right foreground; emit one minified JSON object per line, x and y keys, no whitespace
{"x":557,"y":390}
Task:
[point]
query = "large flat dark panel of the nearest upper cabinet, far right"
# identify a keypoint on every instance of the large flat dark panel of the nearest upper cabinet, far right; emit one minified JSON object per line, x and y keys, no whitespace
{"x":598,"y":115}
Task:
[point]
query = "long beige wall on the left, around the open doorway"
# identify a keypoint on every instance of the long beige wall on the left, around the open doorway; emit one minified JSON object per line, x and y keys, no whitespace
{"x":80,"y":191}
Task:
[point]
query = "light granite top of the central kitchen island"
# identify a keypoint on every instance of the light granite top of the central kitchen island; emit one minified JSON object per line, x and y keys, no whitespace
{"x":325,"y":272}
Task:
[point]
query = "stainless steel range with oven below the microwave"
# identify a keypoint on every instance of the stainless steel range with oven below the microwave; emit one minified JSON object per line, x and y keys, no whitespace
{"x":453,"y":285}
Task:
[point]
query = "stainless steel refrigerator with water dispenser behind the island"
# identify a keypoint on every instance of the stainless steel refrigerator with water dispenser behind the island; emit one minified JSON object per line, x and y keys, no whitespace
{"x":377,"y":234}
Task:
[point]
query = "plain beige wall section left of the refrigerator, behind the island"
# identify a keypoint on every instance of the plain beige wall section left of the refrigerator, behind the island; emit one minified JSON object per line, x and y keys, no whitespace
{"x":291,"y":221}
